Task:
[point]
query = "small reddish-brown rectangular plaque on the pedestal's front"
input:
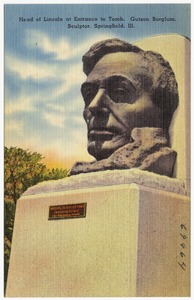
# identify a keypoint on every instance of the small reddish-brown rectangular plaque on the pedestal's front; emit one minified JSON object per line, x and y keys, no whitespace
{"x":67,"y":211}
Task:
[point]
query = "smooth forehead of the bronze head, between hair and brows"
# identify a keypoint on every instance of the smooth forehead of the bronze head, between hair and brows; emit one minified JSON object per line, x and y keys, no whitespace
{"x":127,"y":64}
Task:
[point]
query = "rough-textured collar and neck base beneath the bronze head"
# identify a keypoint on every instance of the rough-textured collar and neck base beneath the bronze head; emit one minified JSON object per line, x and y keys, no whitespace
{"x":149,"y":151}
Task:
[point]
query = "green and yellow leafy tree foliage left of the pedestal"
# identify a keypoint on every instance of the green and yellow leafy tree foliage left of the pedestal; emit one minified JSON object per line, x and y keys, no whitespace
{"x":22,"y":169}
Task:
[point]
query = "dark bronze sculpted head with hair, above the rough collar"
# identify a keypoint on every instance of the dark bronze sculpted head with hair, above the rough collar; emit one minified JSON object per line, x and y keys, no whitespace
{"x":125,"y":88}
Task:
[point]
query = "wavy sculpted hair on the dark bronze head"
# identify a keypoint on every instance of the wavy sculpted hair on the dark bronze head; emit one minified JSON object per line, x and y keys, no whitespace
{"x":164,"y":88}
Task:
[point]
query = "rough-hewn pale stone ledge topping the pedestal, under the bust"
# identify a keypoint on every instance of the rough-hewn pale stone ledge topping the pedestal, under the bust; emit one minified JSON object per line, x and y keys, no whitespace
{"x":109,"y":178}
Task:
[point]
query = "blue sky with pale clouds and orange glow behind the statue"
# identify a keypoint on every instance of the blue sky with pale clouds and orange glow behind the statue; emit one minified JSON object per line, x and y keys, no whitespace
{"x":43,"y":70}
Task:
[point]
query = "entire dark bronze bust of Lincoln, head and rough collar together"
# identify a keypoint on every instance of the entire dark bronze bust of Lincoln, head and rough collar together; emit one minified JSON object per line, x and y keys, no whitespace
{"x":130,"y":96}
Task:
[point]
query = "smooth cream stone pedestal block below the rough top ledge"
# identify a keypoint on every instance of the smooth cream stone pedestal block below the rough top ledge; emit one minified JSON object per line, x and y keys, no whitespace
{"x":133,"y":241}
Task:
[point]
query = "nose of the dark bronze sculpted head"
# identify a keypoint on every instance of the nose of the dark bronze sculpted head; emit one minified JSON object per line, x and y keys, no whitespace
{"x":97,"y":104}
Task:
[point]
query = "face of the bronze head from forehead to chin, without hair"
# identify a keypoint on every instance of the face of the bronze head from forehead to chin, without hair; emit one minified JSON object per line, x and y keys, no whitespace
{"x":117,"y":99}
